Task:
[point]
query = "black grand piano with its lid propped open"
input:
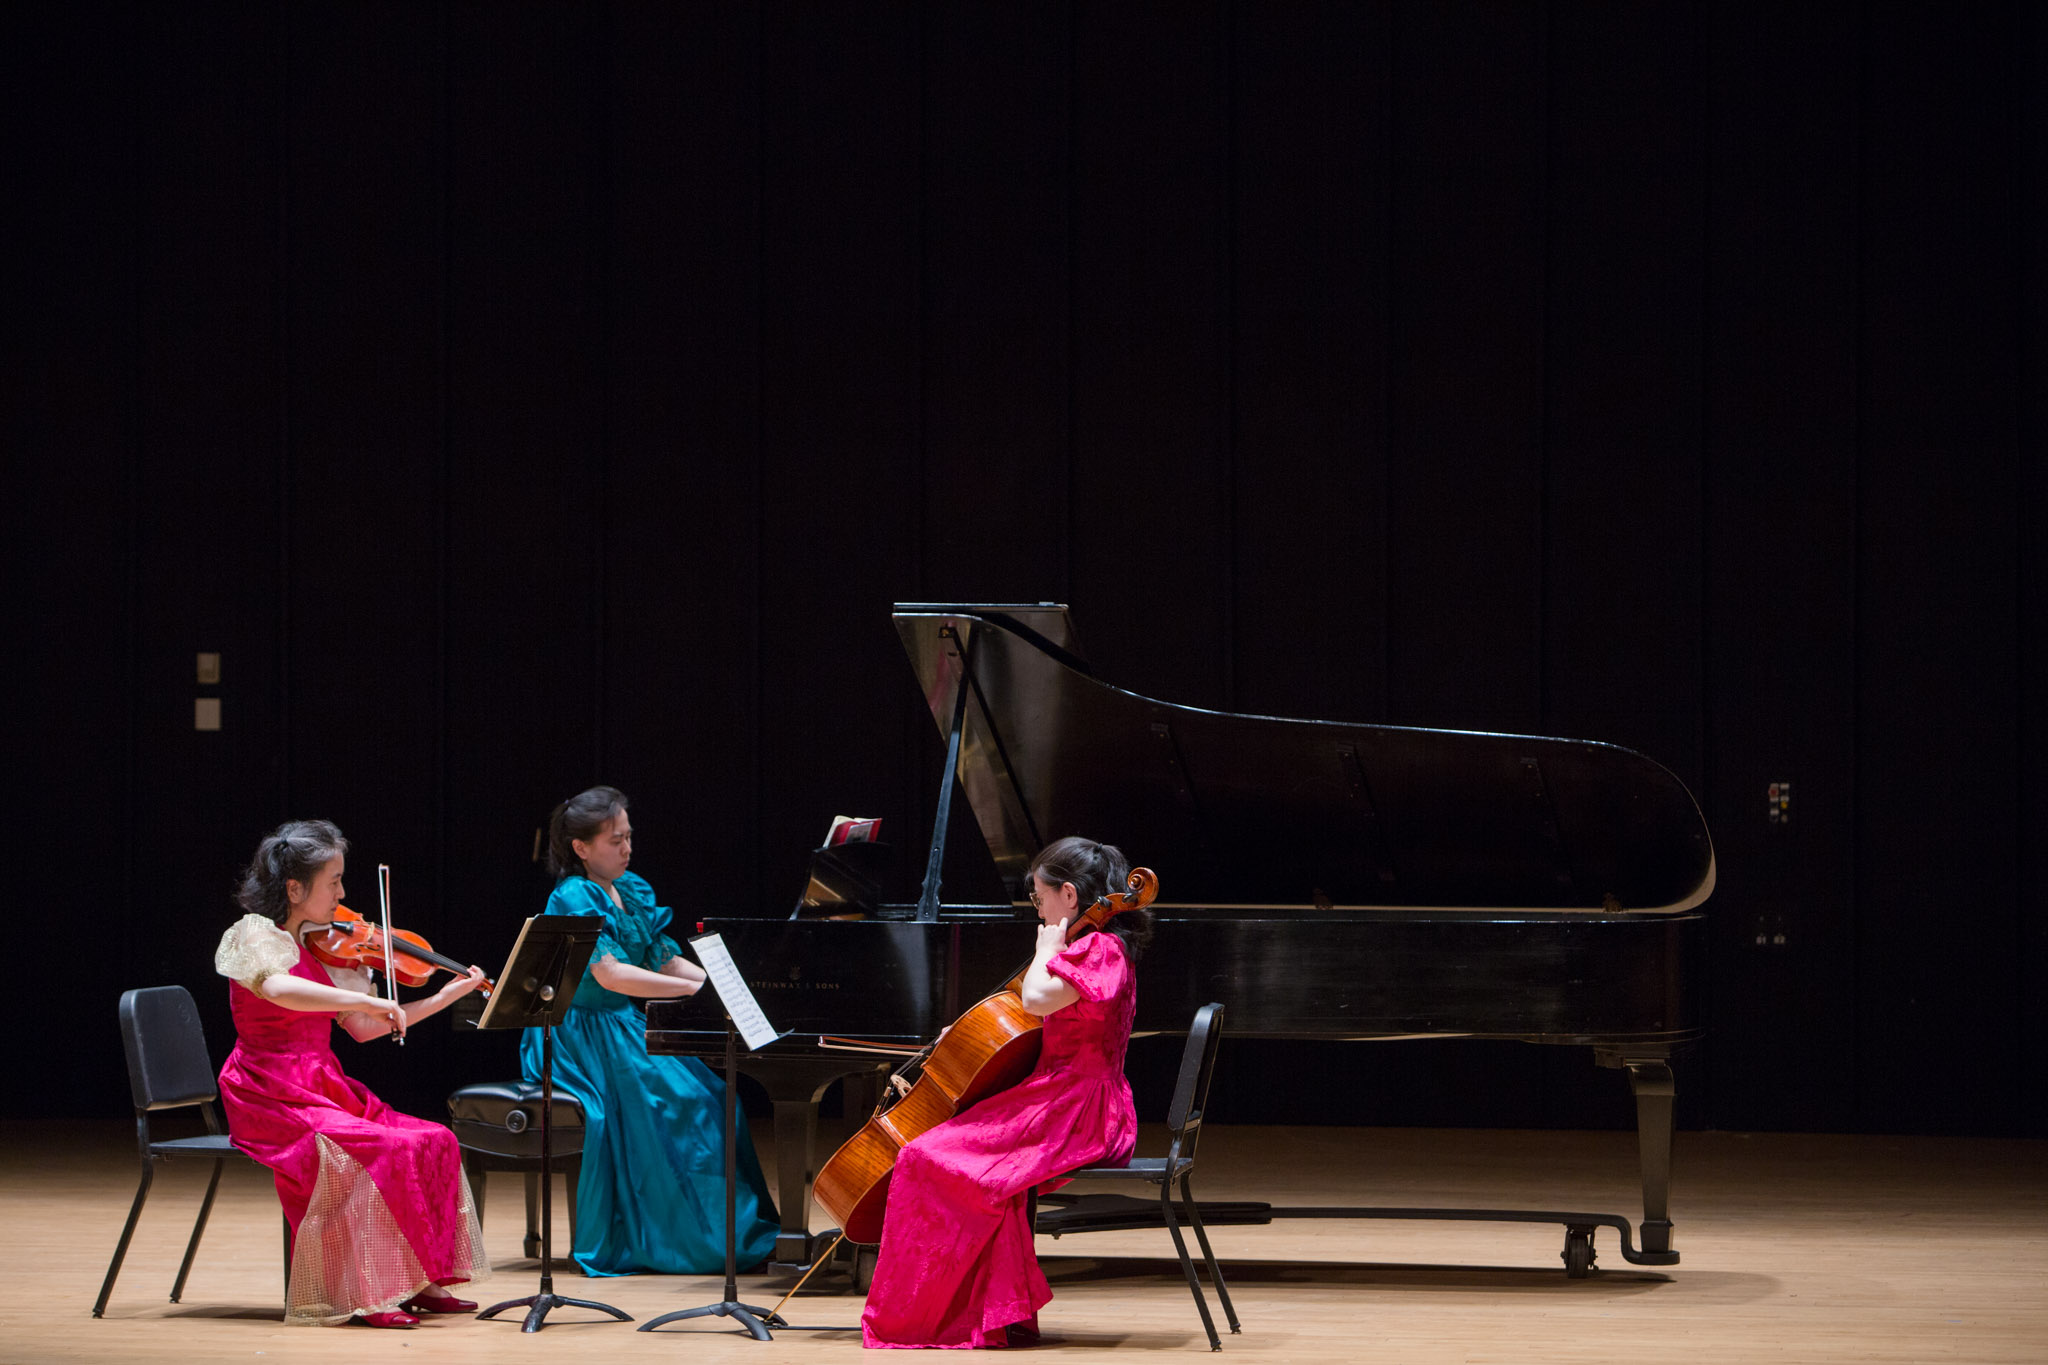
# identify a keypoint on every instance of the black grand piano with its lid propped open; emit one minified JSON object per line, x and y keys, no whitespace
{"x":1324,"y":881}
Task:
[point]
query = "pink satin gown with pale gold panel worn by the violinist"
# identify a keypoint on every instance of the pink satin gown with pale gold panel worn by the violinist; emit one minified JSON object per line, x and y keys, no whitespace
{"x":376,"y":1198}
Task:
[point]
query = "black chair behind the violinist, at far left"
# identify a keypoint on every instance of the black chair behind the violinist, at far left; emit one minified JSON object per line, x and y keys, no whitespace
{"x":169,"y":1069}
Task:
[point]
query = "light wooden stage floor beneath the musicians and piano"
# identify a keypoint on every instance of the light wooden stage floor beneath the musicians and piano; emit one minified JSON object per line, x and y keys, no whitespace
{"x":1795,"y":1249}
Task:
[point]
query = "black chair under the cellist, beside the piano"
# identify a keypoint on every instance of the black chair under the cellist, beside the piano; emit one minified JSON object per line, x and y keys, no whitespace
{"x":1185,"y":1129}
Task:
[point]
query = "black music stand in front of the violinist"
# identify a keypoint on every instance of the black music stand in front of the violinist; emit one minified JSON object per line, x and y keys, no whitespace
{"x":531,"y":994}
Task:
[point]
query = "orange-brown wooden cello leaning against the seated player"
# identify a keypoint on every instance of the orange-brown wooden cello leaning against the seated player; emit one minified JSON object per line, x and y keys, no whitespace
{"x":988,"y":1049}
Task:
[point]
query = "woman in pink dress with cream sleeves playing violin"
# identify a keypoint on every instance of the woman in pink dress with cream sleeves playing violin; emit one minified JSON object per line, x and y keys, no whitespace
{"x":380,"y":1213}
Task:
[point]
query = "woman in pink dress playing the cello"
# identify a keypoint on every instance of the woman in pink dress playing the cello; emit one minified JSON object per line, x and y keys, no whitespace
{"x":957,"y":1264}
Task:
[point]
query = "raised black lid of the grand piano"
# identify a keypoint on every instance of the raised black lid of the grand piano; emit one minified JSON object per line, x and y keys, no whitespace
{"x":1265,"y":811}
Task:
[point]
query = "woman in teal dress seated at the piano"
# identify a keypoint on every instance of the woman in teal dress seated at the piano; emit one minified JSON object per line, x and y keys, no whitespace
{"x":652,"y":1194}
